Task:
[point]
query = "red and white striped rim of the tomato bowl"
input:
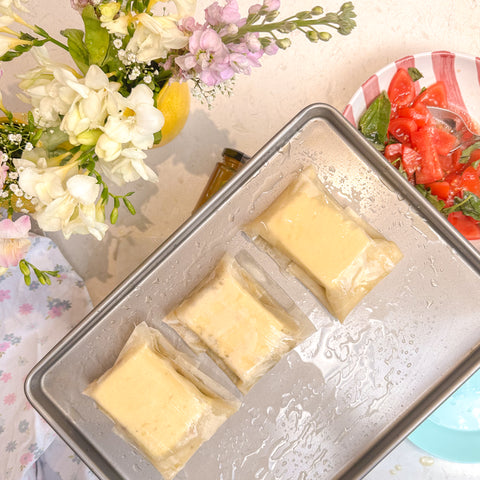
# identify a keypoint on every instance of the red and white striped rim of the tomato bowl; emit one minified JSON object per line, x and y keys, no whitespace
{"x":461,"y":74}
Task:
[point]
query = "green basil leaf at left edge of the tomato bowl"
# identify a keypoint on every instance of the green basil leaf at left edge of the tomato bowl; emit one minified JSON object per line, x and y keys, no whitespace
{"x":374,"y":122}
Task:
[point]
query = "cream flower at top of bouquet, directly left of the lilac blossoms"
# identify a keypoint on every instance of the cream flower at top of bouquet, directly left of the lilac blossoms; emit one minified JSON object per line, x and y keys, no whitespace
{"x":154,"y":37}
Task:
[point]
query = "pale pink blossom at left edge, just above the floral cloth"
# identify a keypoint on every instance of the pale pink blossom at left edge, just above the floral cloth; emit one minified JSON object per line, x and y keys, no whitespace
{"x":14,"y":242}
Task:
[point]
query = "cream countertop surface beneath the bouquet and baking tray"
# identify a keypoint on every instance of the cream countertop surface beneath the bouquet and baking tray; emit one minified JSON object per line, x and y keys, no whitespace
{"x":262,"y":103}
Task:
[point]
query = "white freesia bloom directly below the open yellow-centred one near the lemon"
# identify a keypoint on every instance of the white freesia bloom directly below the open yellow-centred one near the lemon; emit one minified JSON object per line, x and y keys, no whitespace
{"x":129,"y":166}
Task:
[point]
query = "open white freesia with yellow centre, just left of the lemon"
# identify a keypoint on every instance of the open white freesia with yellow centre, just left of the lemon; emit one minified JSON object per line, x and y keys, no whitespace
{"x":139,"y":122}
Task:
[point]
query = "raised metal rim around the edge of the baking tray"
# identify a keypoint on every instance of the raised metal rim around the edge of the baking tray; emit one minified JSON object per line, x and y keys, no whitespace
{"x":398,"y":430}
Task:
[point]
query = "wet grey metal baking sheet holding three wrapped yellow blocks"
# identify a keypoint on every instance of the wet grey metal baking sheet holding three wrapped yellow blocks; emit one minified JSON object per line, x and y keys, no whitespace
{"x":336,"y":404}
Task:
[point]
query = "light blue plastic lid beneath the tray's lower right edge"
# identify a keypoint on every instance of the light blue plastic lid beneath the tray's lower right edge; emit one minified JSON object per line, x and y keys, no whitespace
{"x":452,"y":432}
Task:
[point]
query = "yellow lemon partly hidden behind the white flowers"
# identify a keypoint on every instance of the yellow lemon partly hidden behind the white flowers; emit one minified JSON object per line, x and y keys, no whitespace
{"x":174,"y":102}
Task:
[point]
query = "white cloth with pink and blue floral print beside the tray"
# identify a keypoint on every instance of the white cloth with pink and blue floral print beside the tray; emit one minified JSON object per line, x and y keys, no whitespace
{"x":32,"y":320}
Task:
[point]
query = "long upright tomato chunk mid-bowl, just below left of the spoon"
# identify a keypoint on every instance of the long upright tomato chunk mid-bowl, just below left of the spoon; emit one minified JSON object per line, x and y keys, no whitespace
{"x":430,"y":169}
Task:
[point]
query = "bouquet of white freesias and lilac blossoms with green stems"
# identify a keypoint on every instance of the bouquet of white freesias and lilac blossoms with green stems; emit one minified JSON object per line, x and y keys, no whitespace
{"x":91,"y":121}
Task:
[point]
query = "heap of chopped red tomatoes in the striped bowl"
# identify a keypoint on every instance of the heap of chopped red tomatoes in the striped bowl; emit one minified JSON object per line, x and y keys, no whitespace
{"x":424,"y":149}
